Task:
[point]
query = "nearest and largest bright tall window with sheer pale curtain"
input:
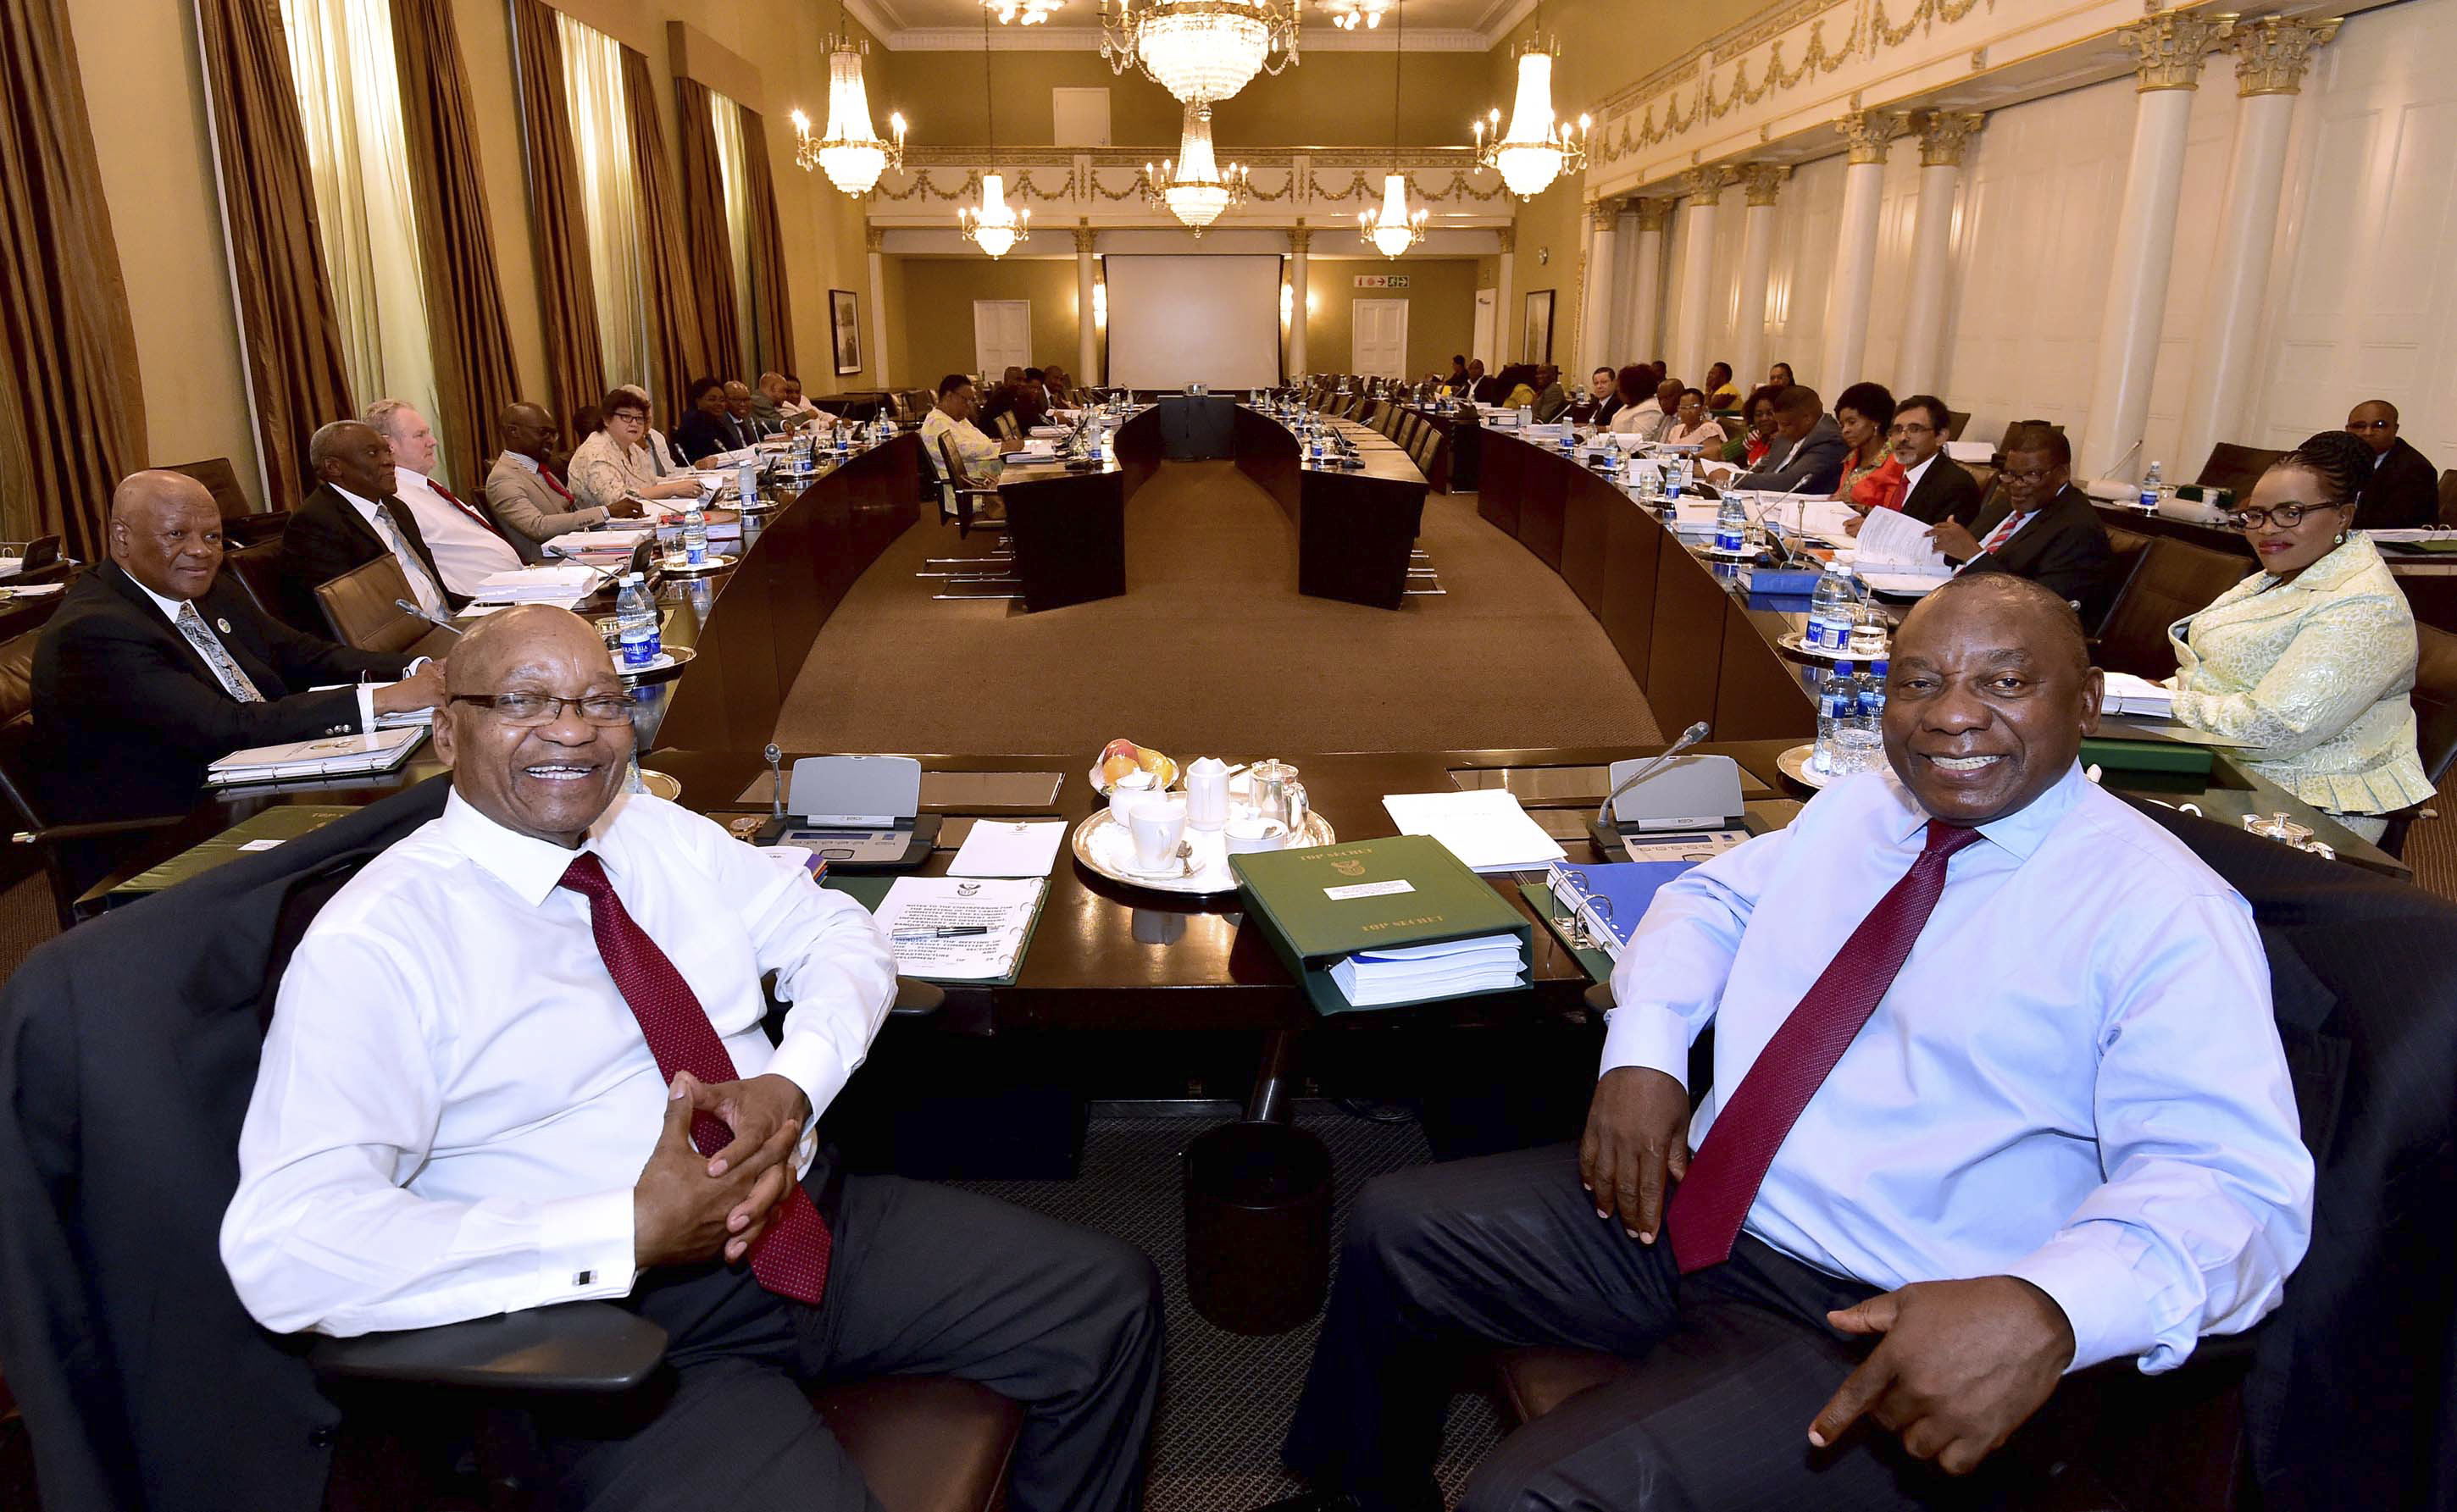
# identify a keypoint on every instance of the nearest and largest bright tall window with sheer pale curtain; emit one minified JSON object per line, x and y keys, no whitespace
{"x":350,"y":107}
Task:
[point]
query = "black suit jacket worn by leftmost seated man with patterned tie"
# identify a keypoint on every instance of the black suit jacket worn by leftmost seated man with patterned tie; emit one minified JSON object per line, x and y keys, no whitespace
{"x":129,"y":713}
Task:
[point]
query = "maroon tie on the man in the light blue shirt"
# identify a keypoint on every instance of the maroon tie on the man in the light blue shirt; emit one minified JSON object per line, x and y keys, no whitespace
{"x":1721,"y":1184}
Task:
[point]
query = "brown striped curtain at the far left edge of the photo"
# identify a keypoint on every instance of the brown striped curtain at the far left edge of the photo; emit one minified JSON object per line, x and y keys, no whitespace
{"x":72,"y":414}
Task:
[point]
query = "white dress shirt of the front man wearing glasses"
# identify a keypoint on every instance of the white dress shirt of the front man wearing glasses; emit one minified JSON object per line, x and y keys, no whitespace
{"x":456,"y":1101}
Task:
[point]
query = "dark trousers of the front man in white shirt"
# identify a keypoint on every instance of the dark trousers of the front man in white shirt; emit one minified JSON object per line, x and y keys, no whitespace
{"x":923,"y":1280}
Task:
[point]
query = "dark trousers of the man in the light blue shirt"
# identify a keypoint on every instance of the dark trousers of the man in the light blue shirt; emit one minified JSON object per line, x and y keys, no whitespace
{"x":1507,"y":1251}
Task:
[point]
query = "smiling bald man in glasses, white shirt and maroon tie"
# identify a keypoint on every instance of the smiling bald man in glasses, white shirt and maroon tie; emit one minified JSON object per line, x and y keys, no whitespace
{"x":576,"y":1101}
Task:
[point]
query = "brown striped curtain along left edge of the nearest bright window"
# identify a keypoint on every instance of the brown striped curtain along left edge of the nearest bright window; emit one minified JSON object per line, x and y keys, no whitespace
{"x":296,"y":367}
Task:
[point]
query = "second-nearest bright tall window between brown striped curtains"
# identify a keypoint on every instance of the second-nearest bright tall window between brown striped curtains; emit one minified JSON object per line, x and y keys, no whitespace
{"x":611,"y":200}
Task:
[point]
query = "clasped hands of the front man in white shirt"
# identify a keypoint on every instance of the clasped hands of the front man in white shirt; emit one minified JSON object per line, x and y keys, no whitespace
{"x":687,"y":1206}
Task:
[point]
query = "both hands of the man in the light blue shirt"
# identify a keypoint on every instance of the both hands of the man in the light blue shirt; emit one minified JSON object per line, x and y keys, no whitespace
{"x":1959,"y":1366}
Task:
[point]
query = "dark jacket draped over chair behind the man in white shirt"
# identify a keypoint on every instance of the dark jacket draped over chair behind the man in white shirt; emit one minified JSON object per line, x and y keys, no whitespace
{"x":127,"y":1057}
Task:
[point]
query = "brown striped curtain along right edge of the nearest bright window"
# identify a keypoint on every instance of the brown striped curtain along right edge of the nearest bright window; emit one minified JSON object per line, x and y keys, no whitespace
{"x":471,"y":342}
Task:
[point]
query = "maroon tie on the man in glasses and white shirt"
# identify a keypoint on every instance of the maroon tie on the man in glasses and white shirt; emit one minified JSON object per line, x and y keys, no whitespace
{"x":792,"y":1255}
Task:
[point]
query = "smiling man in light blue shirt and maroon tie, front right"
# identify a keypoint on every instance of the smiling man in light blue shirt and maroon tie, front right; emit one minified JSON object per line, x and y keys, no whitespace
{"x":1996,"y":1096}
